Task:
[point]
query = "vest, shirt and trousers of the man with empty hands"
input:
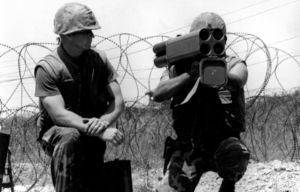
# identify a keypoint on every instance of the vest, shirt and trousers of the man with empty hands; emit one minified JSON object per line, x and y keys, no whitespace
{"x":77,"y":160}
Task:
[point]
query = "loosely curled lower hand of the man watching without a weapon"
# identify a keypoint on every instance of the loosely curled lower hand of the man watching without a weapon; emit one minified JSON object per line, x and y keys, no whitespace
{"x":112,"y":135}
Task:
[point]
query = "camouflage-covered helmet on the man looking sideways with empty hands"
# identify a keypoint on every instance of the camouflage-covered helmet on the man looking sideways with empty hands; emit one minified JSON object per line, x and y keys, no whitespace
{"x":73,"y":17}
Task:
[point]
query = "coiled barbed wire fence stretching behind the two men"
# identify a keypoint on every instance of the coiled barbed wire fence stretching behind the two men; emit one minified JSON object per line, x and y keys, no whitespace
{"x":272,"y":114}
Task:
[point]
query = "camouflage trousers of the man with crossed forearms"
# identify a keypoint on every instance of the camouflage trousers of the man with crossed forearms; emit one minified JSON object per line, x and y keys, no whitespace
{"x":77,"y":160}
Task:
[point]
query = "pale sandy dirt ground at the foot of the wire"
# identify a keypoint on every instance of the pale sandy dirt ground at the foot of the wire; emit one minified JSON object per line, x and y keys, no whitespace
{"x":275,"y":176}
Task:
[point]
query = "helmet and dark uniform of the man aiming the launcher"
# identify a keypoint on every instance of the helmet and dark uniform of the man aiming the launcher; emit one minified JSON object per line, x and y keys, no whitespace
{"x":208,"y":122}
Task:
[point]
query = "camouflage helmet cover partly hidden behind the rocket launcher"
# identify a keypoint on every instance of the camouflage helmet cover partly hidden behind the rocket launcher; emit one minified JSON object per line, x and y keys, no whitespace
{"x":208,"y":20}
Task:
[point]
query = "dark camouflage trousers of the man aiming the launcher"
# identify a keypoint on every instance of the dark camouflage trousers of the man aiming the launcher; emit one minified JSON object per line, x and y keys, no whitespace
{"x":185,"y":169}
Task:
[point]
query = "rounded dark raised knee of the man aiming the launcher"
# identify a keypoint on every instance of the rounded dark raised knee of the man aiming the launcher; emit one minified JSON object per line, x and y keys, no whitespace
{"x":231,"y":158}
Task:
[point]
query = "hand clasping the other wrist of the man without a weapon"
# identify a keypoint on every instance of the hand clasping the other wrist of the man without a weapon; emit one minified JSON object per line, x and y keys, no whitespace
{"x":95,"y":126}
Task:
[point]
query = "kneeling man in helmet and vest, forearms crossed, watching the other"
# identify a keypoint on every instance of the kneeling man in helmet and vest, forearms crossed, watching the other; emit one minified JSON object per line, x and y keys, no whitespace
{"x":80,"y":99}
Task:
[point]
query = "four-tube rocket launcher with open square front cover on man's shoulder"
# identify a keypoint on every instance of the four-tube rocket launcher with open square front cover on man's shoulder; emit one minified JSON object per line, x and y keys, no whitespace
{"x":206,"y":46}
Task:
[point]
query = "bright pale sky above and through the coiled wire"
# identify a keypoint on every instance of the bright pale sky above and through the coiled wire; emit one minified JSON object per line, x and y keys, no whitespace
{"x":276,"y":22}
